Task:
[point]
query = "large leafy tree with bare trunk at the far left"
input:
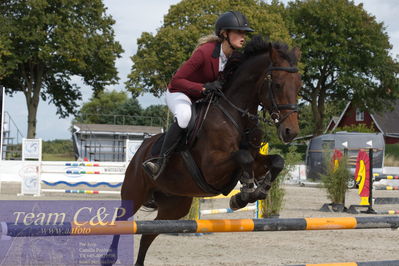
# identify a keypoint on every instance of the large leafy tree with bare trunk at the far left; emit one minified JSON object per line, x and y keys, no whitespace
{"x":52,"y":41}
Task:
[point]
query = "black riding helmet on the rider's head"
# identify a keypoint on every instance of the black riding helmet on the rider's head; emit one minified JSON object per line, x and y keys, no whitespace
{"x":232,"y":20}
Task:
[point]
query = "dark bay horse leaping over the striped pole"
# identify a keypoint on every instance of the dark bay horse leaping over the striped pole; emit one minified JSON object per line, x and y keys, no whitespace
{"x":266,"y":75}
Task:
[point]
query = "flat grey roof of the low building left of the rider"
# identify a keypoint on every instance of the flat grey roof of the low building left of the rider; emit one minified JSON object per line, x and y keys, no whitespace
{"x":121,"y":129}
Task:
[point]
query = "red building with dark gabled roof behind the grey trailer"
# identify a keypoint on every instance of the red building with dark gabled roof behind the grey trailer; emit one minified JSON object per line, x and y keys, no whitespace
{"x":387,"y":123}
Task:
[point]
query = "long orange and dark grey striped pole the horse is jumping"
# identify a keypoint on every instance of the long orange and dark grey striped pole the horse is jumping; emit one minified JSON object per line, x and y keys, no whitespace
{"x":199,"y":226}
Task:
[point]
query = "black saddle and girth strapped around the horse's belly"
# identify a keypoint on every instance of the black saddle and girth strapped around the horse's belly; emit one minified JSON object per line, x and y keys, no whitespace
{"x":198,"y":111}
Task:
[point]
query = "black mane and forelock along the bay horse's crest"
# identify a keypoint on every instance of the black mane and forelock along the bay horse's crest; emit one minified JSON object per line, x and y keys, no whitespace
{"x":258,"y":45}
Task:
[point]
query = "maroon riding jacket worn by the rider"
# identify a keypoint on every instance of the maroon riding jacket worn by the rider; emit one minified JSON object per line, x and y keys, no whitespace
{"x":200,"y":68}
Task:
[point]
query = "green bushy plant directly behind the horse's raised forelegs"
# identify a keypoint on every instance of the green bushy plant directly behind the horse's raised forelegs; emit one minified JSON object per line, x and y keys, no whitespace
{"x":275,"y":198}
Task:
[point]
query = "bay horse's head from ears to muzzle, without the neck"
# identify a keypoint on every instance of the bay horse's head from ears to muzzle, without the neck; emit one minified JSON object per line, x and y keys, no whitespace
{"x":279,"y":89}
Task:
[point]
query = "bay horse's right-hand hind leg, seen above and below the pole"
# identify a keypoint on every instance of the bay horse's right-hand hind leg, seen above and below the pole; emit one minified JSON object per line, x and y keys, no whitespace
{"x":169,"y":208}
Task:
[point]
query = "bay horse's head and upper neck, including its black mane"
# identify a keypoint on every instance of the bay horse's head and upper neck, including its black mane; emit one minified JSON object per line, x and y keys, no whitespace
{"x":266,"y":74}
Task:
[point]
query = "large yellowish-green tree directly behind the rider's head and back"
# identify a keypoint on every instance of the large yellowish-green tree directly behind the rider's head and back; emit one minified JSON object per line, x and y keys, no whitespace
{"x":159,"y":56}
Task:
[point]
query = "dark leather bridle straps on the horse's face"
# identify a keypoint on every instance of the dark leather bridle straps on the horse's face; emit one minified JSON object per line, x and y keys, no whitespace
{"x":275,"y":107}
